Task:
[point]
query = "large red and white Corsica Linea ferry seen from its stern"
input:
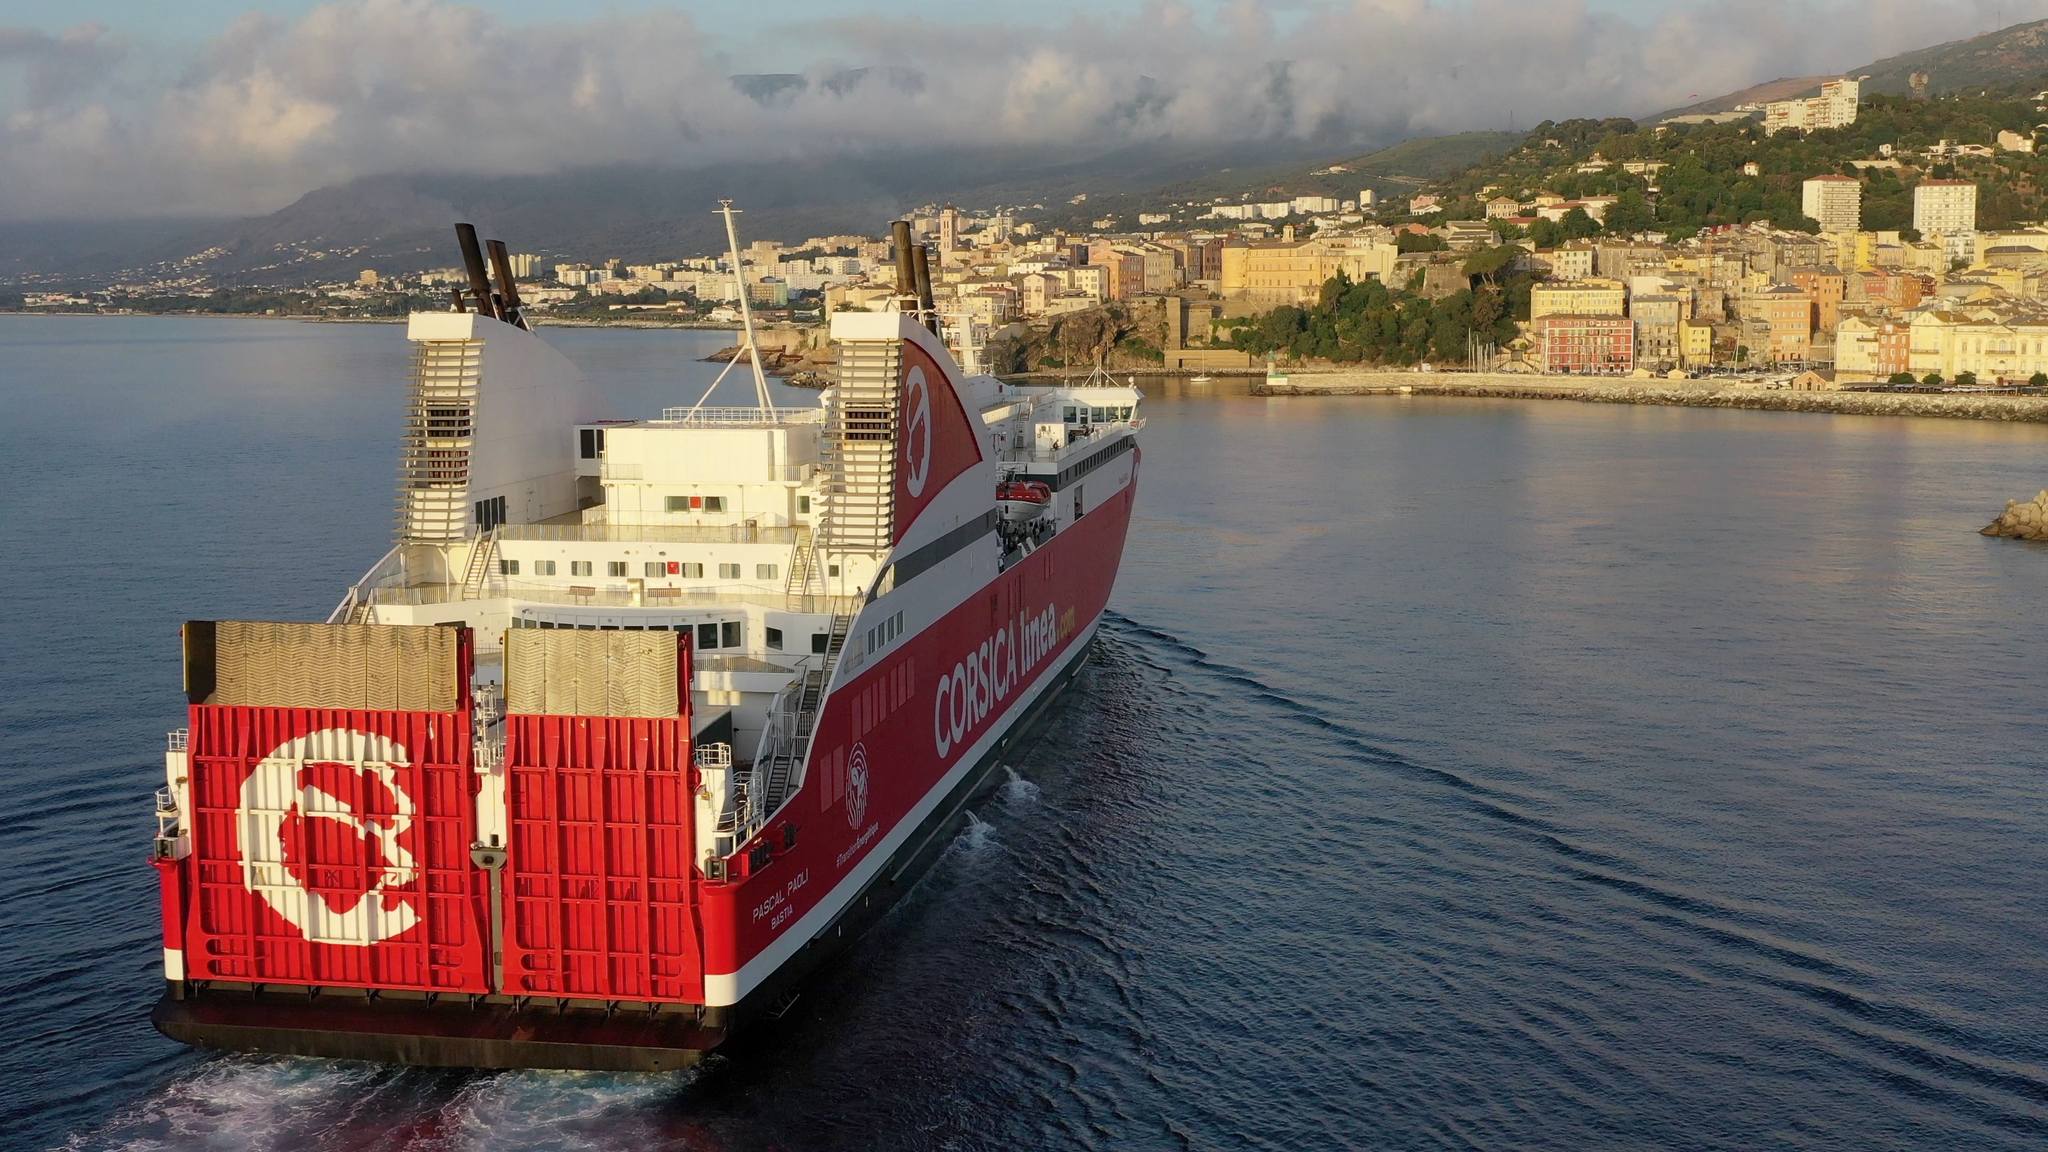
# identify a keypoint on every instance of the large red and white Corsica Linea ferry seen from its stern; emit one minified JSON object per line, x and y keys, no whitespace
{"x":638,"y":721}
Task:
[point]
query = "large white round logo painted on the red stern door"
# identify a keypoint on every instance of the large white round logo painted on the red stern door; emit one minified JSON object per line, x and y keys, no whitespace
{"x":275,"y":792}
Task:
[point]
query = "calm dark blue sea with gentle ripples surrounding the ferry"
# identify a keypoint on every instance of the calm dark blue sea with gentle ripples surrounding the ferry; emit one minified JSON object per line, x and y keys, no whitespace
{"x":1451,"y":774}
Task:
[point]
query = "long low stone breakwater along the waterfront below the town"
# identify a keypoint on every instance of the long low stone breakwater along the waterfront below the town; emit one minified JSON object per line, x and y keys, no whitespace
{"x":1687,"y":395}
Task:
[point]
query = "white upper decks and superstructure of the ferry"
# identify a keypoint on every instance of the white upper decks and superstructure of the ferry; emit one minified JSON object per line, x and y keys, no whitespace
{"x":521,"y":509}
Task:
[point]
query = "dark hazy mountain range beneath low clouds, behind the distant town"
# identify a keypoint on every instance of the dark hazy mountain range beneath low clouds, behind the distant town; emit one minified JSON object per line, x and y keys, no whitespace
{"x":400,"y":222}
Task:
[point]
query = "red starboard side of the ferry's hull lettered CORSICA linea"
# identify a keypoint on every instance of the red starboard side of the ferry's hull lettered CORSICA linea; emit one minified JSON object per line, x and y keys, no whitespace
{"x":892,"y":739}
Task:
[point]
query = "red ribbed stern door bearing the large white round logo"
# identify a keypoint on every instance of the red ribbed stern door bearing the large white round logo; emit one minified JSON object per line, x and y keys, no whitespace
{"x":339,"y":852}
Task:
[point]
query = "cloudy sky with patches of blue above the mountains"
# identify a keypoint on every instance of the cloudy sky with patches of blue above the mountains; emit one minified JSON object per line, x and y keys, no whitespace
{"x":114,"y":110}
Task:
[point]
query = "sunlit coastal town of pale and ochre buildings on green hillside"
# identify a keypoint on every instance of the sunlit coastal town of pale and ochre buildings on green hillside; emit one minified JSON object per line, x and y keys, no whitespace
{"x":1816,"y":243}
